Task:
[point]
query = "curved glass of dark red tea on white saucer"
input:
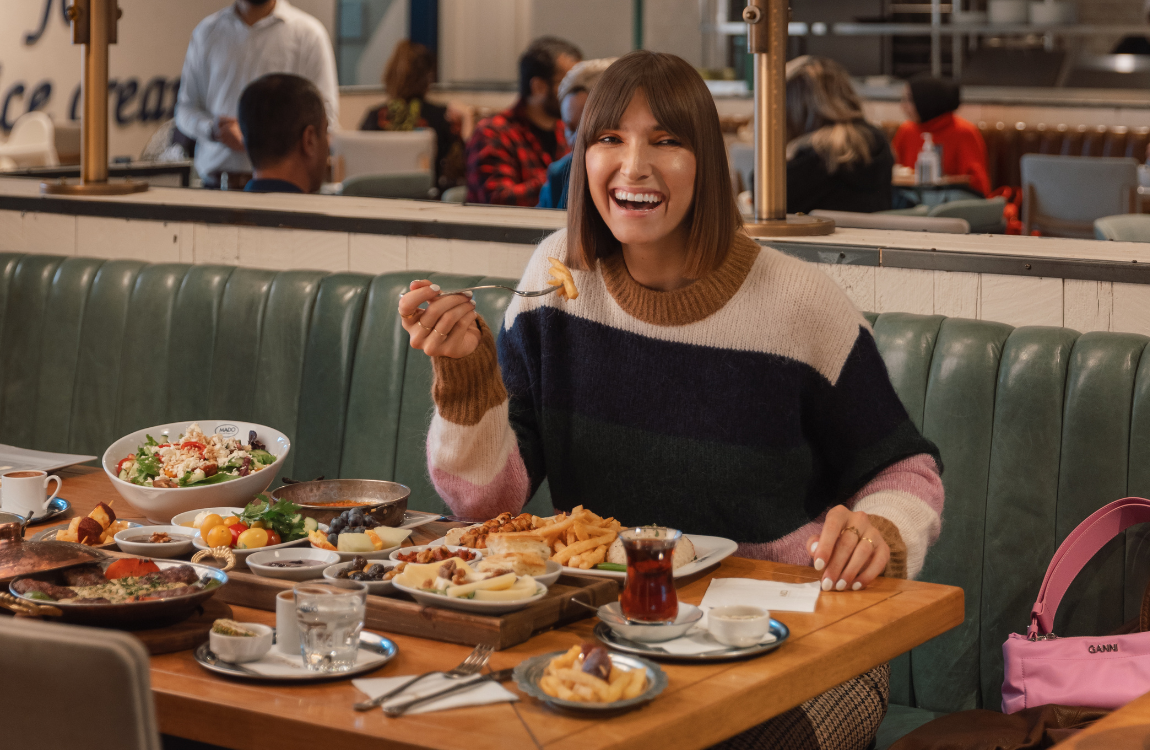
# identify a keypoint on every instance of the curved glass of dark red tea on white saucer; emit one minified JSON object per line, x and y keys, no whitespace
{"x":649,"y":594}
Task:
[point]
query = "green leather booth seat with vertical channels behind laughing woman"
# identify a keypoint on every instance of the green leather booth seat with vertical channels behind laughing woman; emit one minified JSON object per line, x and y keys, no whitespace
{"x":1038,"y":427}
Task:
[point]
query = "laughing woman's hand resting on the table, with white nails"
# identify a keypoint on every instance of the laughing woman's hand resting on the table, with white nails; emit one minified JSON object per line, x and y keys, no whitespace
{"x":850,"y":552}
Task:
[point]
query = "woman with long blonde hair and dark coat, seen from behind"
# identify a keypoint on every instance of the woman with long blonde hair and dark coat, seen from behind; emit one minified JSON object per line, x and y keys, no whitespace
{"x":835,"y":159}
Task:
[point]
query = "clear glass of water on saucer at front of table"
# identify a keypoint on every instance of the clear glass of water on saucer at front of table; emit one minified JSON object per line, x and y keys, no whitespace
{"x":331,"y":617}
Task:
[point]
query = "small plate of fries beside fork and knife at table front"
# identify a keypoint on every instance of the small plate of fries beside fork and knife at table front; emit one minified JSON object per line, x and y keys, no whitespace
{"x":559,"y":679}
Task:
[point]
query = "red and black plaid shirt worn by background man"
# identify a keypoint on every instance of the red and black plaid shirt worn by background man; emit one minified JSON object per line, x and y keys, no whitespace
{"x":507,"y":164}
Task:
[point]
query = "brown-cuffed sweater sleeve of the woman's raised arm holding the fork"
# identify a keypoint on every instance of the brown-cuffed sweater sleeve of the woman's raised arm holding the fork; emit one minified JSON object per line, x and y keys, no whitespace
{"x":473,"y":453}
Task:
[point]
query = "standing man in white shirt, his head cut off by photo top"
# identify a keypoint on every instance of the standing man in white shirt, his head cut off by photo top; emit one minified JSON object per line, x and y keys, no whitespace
{"x":232,"y":49}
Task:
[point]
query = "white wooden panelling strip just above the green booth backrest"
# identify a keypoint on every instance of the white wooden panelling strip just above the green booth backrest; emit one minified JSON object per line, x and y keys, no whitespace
{"x":1017,"y":301}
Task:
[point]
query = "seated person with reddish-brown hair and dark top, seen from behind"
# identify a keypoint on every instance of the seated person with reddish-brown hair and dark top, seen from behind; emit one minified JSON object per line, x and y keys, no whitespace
{"x":408,"y":78}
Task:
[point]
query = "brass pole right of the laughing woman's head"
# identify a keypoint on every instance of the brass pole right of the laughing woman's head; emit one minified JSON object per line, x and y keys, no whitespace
{"x":766,"y":40}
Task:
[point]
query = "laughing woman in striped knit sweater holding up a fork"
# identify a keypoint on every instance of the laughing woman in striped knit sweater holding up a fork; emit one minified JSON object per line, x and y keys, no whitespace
{"x":700,"y":381}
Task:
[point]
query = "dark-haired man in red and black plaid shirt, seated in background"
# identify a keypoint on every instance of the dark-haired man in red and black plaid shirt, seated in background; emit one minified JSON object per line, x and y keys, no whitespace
{"x":509,"y":154}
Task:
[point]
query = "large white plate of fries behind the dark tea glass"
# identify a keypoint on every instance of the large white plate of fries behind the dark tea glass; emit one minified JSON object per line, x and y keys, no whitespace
{"x":580,"y":541}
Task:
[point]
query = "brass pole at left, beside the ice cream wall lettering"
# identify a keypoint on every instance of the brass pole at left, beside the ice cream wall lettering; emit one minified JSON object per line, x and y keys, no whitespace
{"x":94,"y":28}
